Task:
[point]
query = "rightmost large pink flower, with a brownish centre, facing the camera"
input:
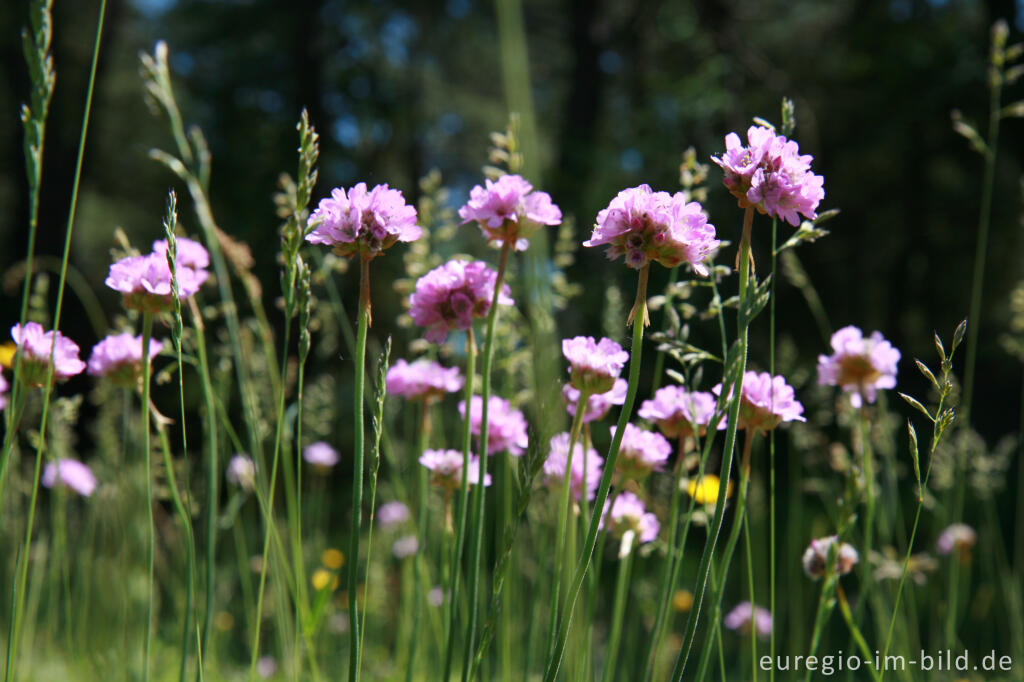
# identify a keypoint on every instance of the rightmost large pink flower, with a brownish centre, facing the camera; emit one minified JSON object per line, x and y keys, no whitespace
{"x":861,"y":366}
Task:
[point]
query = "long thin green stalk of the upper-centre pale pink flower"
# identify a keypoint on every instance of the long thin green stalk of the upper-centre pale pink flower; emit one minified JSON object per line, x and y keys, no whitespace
{"x":481,"y":491}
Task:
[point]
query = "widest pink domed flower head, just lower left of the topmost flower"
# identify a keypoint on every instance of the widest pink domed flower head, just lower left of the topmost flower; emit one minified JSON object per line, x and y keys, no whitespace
{"x":647,"y":226}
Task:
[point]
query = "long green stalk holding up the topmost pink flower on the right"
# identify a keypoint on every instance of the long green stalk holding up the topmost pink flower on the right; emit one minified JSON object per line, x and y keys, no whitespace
{"x":743,"y":324}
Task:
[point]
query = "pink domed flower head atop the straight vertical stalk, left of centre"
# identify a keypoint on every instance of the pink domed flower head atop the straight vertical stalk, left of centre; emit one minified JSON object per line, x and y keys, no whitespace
{"x":363,"y":223}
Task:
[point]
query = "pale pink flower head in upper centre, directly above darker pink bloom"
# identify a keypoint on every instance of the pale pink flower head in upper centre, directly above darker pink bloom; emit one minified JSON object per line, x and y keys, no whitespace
{"x":509,"y":210}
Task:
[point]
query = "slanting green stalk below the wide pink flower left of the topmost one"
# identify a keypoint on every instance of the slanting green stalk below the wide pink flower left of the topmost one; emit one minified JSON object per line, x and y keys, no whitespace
{"x":639,"y":316}
